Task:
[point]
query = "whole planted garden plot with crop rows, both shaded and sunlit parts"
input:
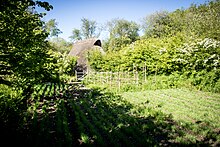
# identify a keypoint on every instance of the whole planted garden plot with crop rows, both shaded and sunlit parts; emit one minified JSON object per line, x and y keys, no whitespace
{"x":63,"y":115}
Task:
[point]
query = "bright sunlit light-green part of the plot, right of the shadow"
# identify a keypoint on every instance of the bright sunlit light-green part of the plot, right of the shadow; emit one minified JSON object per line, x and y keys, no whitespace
{"x":183,"y":104}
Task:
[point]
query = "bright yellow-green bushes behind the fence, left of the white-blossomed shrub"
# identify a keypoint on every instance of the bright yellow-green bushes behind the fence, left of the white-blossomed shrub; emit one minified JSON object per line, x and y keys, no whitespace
{"x":155,"y":53}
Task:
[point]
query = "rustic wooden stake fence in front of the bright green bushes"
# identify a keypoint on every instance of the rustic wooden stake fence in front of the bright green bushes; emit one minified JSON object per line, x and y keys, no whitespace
{"x":120,"y":78}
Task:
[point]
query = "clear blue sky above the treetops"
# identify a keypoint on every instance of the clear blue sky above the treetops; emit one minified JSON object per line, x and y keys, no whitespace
{"x":68,"y":13}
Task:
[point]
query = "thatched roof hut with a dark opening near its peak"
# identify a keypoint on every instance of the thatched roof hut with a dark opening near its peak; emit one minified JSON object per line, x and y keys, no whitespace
{"x":80,"y":49}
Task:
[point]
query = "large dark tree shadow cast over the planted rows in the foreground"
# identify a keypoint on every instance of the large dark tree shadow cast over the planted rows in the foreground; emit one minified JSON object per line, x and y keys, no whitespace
{"x":91,"y":117}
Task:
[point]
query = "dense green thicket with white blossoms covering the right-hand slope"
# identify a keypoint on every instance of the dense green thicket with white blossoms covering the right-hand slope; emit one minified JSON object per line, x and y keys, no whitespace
{"x":184,"y":43}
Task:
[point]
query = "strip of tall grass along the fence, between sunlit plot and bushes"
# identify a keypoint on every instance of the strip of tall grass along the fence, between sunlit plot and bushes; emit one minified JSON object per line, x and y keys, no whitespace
{"x":199,"y":81}
